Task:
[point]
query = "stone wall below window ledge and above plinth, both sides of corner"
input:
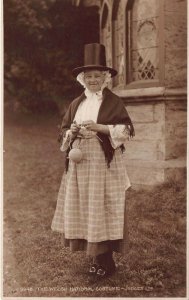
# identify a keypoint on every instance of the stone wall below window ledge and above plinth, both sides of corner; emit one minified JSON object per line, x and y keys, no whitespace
{"x":161,"y":129}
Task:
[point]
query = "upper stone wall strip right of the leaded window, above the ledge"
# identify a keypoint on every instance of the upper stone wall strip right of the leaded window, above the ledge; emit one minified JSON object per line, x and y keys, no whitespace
{"x":175,"y":39}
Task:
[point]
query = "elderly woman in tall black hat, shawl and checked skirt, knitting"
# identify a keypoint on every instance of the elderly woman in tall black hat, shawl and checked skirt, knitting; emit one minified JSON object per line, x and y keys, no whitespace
{"x":91,"y":208}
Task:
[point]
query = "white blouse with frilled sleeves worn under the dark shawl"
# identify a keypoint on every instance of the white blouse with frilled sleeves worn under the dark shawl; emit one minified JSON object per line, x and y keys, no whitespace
{"x":88,"y":110}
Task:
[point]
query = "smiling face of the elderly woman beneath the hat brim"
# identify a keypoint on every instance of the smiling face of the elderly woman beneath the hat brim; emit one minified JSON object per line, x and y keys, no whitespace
{"x":94,"y":80}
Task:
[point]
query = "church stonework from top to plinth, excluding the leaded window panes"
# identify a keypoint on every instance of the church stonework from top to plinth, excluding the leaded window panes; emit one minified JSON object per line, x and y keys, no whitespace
{"x":158,"y":109}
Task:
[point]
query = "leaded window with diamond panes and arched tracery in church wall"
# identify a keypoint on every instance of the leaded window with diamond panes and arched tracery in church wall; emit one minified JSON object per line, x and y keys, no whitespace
{"x":142,"y":41}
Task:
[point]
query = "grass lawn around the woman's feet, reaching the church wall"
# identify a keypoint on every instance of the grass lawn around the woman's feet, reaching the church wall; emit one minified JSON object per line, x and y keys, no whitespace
{"x":35,"y":262}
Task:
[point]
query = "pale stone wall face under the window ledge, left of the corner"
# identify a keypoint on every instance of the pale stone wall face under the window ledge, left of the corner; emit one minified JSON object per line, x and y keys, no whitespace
{"x":149,"y":121}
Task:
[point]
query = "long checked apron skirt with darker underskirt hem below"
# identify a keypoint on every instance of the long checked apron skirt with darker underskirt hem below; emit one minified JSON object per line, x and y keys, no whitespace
{"x":91,"y":206}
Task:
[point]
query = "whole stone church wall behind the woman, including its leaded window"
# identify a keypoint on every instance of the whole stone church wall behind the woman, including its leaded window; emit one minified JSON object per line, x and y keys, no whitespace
{"x":151,"y":81}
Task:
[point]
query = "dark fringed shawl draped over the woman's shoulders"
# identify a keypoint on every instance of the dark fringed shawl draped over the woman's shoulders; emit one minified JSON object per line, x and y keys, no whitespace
{"x":112,"y":112}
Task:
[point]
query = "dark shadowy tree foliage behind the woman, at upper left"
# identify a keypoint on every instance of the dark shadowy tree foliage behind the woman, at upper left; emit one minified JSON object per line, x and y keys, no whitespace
{"x":43,"y":41}
